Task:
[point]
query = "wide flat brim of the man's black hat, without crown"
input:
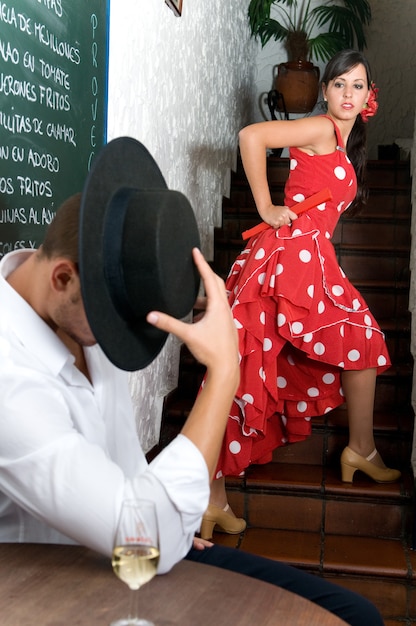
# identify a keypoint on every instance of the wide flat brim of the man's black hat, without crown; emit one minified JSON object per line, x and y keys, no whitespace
{"x":130,"y":345}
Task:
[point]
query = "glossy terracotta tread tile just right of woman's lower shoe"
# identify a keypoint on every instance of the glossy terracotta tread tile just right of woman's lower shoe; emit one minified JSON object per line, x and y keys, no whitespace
{"x":302,"y":549}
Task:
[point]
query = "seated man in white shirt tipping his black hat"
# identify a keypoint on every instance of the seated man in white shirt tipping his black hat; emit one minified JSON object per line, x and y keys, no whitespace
{"x":69,"y":452}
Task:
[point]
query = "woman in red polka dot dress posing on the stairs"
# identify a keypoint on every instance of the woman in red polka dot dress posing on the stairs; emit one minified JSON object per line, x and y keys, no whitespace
{"x":307,"y":339}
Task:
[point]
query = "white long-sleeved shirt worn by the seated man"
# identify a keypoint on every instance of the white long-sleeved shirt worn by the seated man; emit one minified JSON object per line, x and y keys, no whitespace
{"x":69,"y":451}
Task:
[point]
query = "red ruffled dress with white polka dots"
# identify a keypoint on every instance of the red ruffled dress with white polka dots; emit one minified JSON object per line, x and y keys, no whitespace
{"x":300,"y":321}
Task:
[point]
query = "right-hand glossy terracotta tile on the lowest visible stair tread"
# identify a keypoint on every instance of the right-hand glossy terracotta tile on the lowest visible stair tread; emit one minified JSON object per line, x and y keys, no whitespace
{"x":365,"y":556}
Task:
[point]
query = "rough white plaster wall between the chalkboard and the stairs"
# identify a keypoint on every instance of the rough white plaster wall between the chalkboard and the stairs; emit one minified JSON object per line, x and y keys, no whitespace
{"x":182,"y":86}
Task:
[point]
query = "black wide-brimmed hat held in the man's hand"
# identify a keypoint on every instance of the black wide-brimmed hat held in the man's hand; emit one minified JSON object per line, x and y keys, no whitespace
{"x":135,"y":252}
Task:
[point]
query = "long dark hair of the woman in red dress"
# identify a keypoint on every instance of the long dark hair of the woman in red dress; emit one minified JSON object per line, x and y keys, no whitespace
{"x":341,"y":63}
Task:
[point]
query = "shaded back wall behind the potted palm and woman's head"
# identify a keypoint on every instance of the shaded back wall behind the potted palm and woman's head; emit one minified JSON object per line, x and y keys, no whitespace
{"x":391,"y":52}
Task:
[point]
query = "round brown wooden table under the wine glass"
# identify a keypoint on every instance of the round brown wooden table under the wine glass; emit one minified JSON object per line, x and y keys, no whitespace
{"x":49,"y":585}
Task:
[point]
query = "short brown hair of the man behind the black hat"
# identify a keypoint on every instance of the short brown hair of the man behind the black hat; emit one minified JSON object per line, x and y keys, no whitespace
{"x":61,"y":237}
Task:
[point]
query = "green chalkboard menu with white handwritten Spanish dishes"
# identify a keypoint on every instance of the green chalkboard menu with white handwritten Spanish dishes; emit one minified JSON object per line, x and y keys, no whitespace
{"x":53,"y":103}
